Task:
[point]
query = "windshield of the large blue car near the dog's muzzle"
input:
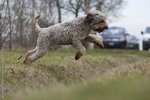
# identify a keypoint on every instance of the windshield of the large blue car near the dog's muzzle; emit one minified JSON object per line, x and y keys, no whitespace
{"x":113,"y":31}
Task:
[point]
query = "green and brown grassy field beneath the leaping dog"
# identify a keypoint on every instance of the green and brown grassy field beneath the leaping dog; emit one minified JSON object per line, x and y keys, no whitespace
{"x":99,"y":75}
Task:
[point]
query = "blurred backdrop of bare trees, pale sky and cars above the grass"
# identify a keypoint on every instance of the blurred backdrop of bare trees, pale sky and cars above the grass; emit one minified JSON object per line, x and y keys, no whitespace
{"x":128,"y":21}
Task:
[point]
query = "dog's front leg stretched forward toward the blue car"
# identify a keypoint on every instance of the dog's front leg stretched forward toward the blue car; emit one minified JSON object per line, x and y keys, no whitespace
{"x":94,"y":39}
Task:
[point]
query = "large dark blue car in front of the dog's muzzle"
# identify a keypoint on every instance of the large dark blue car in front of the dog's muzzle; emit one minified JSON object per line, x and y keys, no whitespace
{"x":115,"y":37}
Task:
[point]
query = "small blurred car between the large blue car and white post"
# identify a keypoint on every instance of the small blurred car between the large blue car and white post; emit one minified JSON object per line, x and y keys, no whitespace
{"x":132,"y":42}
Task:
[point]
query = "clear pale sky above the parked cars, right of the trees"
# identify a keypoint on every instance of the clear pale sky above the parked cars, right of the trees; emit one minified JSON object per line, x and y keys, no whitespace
{"x":136,"y":16}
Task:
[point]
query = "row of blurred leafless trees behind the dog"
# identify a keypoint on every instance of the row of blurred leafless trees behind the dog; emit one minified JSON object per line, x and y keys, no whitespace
{"x":16,"y":17}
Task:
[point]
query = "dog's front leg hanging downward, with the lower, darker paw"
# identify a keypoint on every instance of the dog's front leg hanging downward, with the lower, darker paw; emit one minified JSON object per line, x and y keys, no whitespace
{"x":80,"y":49}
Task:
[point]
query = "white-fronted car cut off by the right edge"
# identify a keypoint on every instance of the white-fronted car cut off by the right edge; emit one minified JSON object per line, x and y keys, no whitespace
{"x":146,"y":38}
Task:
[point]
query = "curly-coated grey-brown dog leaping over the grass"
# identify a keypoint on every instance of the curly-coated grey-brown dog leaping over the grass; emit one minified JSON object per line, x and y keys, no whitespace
{"x":73,"y":32}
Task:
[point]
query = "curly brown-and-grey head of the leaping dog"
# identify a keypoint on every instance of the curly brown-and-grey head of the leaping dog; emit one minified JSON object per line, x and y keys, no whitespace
{"x":97,"y":21}
